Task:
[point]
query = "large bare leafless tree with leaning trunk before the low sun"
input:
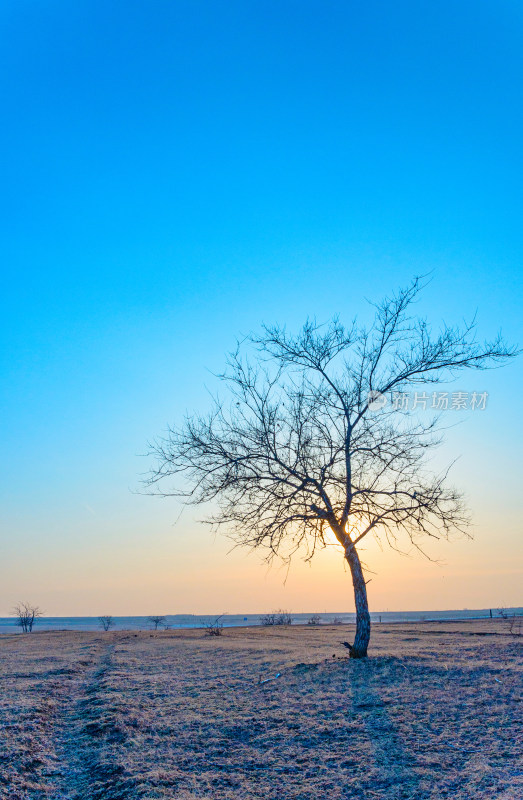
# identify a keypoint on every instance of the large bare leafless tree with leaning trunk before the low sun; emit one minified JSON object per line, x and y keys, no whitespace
{"x":315,"y":440}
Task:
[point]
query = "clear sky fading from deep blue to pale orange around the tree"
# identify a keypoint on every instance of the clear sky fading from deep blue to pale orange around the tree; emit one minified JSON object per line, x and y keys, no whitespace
{"x":175,"y":173}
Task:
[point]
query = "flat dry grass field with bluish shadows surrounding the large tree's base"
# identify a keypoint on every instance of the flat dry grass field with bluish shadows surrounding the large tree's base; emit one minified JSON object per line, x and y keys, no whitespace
{"x":434,"y":713}
